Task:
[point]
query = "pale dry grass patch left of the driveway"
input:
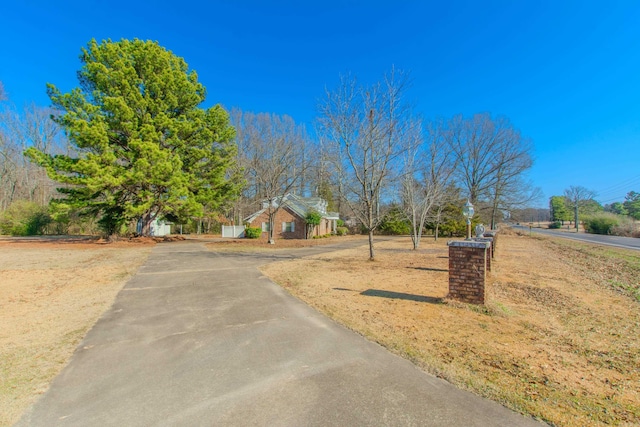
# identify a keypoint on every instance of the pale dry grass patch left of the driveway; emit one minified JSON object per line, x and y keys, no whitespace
{"x":50,"y":296}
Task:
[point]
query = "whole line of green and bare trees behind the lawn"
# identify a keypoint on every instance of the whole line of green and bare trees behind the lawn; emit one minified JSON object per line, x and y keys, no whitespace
{"x":132,"y":145}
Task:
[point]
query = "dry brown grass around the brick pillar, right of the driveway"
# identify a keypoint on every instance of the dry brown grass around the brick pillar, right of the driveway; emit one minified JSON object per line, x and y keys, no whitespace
{"x":558,"y":339}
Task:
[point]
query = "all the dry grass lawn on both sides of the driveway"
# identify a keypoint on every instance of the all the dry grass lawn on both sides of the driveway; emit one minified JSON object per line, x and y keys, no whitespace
{"x":558,"y":339}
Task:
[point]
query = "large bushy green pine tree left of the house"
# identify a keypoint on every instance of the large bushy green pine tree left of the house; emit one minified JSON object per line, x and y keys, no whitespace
{"x":143,"y":146}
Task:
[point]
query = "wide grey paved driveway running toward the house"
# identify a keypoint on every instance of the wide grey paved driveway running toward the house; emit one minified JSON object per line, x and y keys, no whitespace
{"x":199,"y":338}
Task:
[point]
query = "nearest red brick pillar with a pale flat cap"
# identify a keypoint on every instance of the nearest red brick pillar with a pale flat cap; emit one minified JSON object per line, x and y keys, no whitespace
{"x":468,"y":270}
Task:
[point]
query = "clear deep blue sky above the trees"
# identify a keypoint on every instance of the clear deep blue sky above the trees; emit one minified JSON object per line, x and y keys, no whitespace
{"x":567,"y":74}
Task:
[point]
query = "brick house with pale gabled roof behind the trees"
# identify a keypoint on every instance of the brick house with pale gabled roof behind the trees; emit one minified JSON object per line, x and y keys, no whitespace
{"x":290,"y":221}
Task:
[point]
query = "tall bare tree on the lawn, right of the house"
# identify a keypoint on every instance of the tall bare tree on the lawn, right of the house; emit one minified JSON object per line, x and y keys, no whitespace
{"x":365,"y":126}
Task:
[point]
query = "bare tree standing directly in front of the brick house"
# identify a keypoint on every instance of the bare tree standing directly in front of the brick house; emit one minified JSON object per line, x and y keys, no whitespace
{"x":272,"y":153}
